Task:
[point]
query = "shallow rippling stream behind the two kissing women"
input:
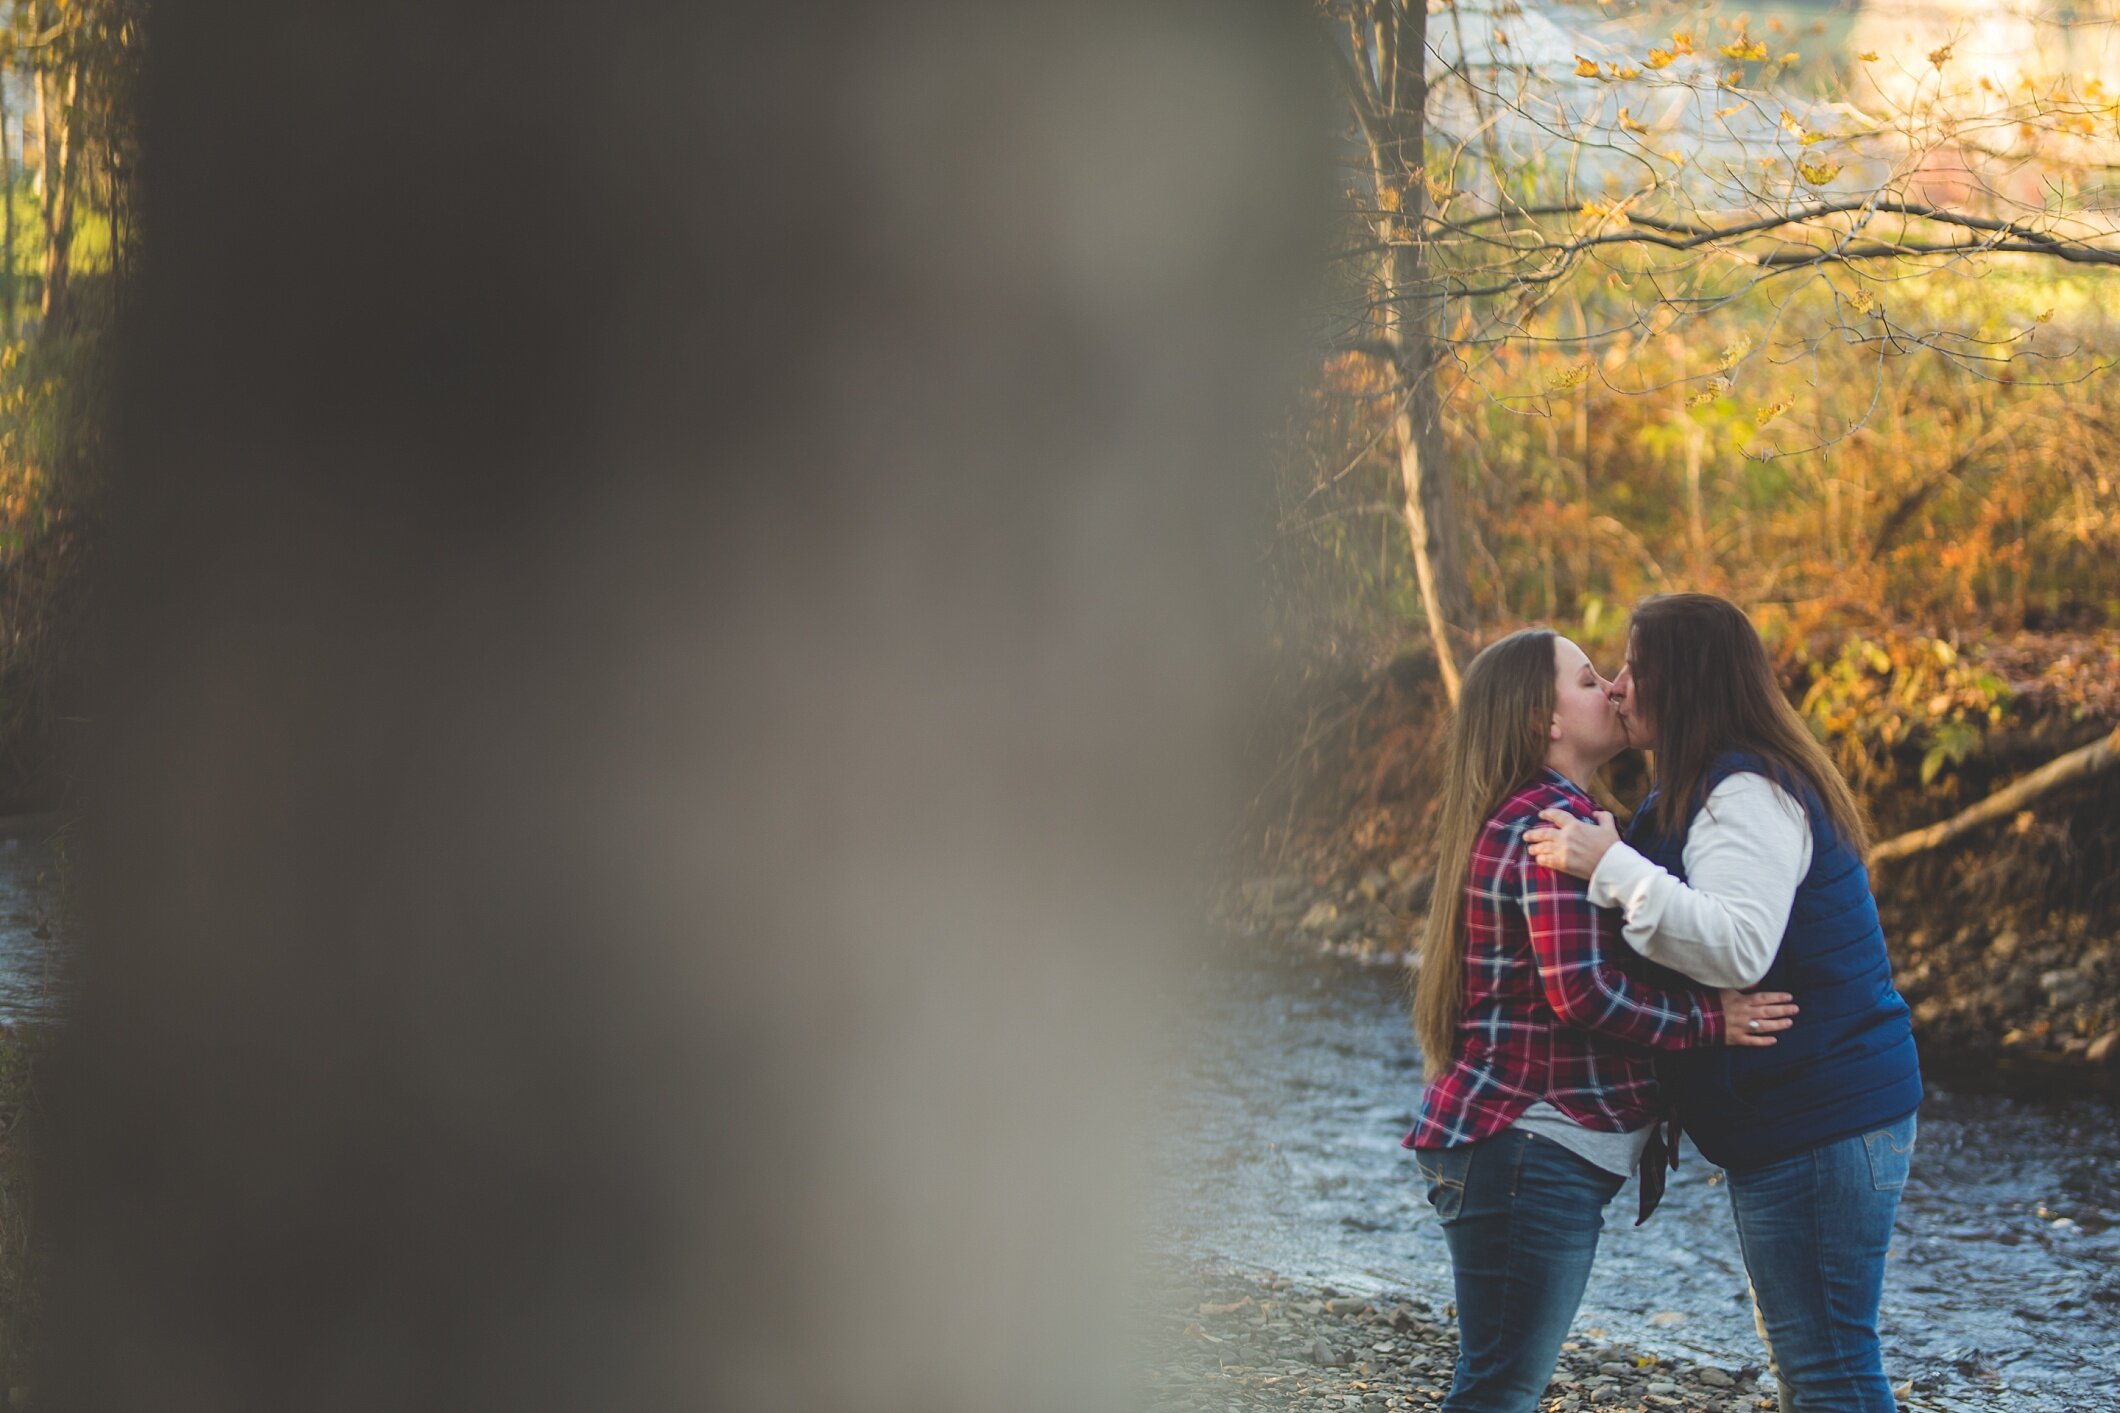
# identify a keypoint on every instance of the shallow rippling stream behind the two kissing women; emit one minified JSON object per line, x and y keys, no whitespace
{"x":1298,"y":1077}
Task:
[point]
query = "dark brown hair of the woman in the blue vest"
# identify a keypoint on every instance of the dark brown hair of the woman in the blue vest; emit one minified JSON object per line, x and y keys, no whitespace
{"x":1708,"y":685}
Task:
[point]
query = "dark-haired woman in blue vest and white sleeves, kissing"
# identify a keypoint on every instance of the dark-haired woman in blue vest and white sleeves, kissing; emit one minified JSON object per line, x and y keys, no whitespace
{"x":1746,"y":868}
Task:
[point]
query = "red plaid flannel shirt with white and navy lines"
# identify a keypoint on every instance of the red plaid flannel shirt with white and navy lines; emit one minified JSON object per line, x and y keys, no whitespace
{"x":1557,"y":1007}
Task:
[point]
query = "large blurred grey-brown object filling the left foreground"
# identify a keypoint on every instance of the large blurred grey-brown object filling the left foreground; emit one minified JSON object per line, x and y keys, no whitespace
{"x":675,"y":630}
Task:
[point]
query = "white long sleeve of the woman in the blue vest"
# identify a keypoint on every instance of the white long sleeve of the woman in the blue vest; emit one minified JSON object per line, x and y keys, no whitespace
{"x":1746,"y":853}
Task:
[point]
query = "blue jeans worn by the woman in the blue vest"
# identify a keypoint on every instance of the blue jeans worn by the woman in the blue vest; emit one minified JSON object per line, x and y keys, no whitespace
{"x":1816,"y":1230}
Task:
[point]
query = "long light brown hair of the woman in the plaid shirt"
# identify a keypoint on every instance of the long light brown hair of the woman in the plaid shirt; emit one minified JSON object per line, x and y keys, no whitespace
{"x":1496,"y":749}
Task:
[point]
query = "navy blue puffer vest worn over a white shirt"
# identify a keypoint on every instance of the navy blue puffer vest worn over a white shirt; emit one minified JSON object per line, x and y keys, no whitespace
{"x":1848,"y":1065}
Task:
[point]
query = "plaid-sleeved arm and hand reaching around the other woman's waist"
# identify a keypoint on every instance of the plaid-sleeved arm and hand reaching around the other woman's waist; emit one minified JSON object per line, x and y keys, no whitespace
{"x":1572,"y":944}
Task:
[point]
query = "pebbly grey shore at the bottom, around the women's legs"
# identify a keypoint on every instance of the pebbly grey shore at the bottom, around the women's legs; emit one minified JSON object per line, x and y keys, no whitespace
{"x":1220,"y":1342}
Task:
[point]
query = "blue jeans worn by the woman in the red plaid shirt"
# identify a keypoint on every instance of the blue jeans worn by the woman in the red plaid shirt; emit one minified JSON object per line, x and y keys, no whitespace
{"x":1521,"y":1217}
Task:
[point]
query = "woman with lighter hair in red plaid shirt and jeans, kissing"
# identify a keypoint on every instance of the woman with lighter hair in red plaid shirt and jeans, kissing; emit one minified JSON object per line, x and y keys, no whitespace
{"x":1536,"y":1020}
